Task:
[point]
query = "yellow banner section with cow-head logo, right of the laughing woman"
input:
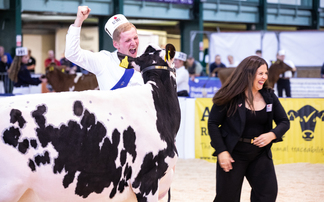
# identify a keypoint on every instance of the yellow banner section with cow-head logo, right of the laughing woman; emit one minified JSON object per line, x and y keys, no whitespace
{"x":304,"y":142}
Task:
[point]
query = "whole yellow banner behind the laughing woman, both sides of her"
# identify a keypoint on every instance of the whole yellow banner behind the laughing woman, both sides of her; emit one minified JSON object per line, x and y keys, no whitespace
{"x":304,"y":141}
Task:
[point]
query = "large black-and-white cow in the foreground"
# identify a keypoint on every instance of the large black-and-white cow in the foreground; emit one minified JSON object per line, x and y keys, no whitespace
{"x":93,"y":145}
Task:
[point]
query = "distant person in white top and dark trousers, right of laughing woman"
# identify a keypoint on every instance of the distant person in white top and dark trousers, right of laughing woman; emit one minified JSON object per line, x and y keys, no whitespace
{"x":283,"y":82}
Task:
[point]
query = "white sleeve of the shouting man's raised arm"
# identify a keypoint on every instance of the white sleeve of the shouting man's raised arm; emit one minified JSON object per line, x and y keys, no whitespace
{"x":83,"y":58}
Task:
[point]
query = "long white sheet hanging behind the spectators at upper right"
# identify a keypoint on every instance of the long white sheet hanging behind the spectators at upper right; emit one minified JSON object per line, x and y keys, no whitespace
{"x":304,"y":48}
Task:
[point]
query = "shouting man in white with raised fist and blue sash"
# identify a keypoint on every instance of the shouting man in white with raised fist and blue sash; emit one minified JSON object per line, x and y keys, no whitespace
{"x":104,"y":64}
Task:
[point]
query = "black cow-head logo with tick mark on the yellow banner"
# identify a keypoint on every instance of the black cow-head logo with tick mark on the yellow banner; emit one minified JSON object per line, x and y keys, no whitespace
{"x":307,"y":115}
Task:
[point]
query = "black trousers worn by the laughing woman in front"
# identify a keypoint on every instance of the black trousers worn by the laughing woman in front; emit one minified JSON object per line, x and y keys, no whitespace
{"x":253,"y":163}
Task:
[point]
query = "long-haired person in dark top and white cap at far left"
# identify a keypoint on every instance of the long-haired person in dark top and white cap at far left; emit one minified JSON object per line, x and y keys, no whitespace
{"x":19,"y":73}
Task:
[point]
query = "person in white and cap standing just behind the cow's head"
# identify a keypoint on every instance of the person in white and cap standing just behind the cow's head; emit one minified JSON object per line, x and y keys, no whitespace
{"x":182,"y":74}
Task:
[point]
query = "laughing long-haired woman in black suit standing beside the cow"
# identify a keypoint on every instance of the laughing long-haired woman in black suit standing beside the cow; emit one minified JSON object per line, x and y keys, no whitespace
{"x":240,"y":128}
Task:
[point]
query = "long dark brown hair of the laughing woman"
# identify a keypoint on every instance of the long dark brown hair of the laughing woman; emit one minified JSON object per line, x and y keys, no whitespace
{"x":241,"y":79}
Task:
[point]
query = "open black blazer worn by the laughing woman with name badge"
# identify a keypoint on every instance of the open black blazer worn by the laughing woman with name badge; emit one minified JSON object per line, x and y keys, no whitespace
{"x":225,"y":131}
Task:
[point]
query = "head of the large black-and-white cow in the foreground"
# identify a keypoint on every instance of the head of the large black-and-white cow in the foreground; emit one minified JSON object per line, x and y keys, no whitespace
{"x":153,"y":56}
